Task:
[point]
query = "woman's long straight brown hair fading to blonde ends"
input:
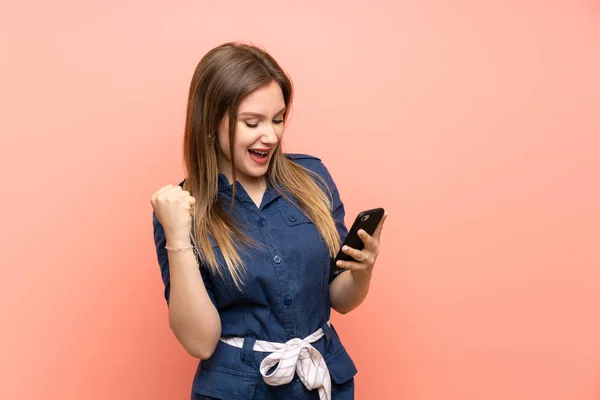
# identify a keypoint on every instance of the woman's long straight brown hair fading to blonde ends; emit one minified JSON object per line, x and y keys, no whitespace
{"x":222,"y":79}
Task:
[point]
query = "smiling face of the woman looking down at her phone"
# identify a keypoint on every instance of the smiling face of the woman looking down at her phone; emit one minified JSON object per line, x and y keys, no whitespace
{"x":258,"y":131}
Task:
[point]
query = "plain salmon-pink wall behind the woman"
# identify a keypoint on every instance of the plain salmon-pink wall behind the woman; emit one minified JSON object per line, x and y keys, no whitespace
{"x":476,"y":123}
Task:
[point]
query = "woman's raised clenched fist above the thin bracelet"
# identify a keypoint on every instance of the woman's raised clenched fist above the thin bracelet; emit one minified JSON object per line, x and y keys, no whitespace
{"x":173,"y":208}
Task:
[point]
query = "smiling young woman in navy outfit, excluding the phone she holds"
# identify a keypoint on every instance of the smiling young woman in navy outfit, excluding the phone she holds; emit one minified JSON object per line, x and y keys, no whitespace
{"x":245,"y":243}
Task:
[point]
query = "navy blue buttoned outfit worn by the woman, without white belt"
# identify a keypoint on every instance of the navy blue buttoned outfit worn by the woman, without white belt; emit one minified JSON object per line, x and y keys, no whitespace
{"x":285,"y":292}
